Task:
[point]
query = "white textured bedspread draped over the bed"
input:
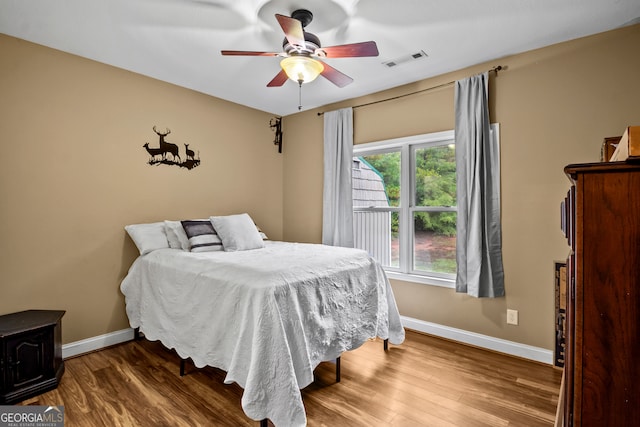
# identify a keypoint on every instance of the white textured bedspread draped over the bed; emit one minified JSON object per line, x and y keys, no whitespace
{"x":267,"y":317}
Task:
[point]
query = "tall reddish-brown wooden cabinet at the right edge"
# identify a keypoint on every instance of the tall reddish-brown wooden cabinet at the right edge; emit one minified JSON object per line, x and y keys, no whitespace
{"x":601,"y":219}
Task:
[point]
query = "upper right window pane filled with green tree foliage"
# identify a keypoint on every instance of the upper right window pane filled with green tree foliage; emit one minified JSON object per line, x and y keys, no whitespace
{"x":435,"y":176}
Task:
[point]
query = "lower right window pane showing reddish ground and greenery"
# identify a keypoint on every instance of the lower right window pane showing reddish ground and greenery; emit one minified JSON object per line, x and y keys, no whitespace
{"x":434,"y":242}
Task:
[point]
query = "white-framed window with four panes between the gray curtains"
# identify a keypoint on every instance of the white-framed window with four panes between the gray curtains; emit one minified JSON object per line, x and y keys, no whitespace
{"x":404,"y":206}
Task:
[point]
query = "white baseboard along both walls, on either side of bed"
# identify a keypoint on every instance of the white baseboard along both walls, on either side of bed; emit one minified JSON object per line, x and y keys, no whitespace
{"x":484,"y":341}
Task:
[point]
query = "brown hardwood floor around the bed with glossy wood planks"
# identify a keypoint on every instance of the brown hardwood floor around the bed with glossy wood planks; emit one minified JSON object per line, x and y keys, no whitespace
{"x":426,"y":381}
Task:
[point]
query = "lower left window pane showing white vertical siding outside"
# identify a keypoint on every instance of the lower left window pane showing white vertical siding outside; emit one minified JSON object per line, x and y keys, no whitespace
{"x":377,"y":233}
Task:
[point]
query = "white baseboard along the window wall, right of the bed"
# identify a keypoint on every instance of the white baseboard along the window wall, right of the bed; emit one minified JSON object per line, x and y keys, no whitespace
{"x":484,"y":341}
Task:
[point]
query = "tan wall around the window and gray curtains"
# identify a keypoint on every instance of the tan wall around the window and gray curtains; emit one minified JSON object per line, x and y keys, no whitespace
{"x":554,"y":106}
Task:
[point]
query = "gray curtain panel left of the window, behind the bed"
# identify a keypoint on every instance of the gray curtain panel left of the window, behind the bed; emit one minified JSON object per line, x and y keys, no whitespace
{"x":337,"y":202}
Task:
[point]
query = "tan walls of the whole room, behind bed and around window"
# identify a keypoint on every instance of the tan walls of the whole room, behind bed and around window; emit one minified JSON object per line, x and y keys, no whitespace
{"x":74,"y":173}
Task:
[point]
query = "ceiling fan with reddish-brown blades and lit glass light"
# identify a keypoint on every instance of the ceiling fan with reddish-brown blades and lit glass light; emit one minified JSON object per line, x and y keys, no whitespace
{"x":300,"y":50}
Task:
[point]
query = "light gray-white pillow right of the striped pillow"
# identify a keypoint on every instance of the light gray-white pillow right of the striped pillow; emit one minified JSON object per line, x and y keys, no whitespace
{"x":237,"y":232}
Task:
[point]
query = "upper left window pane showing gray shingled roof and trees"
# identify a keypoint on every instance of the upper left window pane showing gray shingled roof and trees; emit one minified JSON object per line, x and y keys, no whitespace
{"x":376,"y":180}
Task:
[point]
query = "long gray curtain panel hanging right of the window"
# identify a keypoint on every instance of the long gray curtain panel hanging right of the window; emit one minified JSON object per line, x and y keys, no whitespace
{"x":479,"y":236}
